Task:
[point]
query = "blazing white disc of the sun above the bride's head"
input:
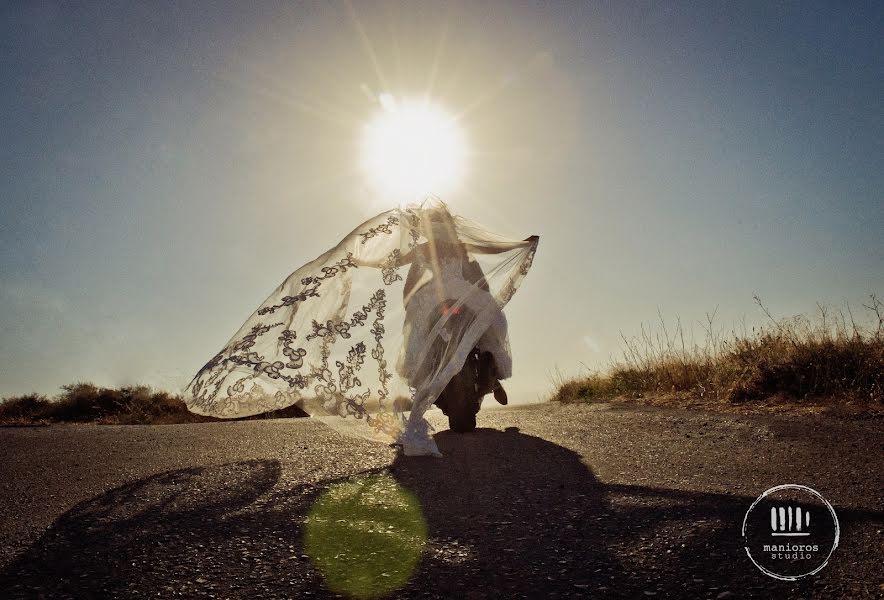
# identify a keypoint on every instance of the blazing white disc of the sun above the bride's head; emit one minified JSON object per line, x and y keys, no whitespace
{"x":412,"y":149}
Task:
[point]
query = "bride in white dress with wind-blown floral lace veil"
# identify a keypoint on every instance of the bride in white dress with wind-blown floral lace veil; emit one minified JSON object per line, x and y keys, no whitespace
{"x":350,"y":334}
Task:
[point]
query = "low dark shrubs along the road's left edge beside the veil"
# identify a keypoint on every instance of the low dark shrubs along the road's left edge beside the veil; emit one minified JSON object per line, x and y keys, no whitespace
{"x":131,"y":405}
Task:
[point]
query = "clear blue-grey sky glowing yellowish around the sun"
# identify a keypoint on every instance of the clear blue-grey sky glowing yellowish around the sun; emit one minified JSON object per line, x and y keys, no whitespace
{"x":163,"y":166}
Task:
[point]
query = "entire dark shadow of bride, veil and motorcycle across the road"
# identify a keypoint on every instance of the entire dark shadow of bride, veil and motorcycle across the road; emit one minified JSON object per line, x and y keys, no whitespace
{"x":509,"y":515}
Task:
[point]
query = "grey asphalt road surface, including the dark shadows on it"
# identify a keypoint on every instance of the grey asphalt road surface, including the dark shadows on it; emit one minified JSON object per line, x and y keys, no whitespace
{"x":541,"y":501}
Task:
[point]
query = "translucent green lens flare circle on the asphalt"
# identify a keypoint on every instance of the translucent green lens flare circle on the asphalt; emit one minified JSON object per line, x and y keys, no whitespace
{"x":365,"y":536}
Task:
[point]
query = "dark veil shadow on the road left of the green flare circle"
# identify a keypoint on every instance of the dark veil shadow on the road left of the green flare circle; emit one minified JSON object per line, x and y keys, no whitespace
{"x":188,"y":533}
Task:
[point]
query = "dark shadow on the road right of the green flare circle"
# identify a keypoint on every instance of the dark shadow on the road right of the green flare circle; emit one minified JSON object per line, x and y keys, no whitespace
{"x":556,"y":531}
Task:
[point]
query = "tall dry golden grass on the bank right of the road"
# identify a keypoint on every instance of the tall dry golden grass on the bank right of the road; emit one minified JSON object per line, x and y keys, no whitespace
{"x":829,"y":358}
